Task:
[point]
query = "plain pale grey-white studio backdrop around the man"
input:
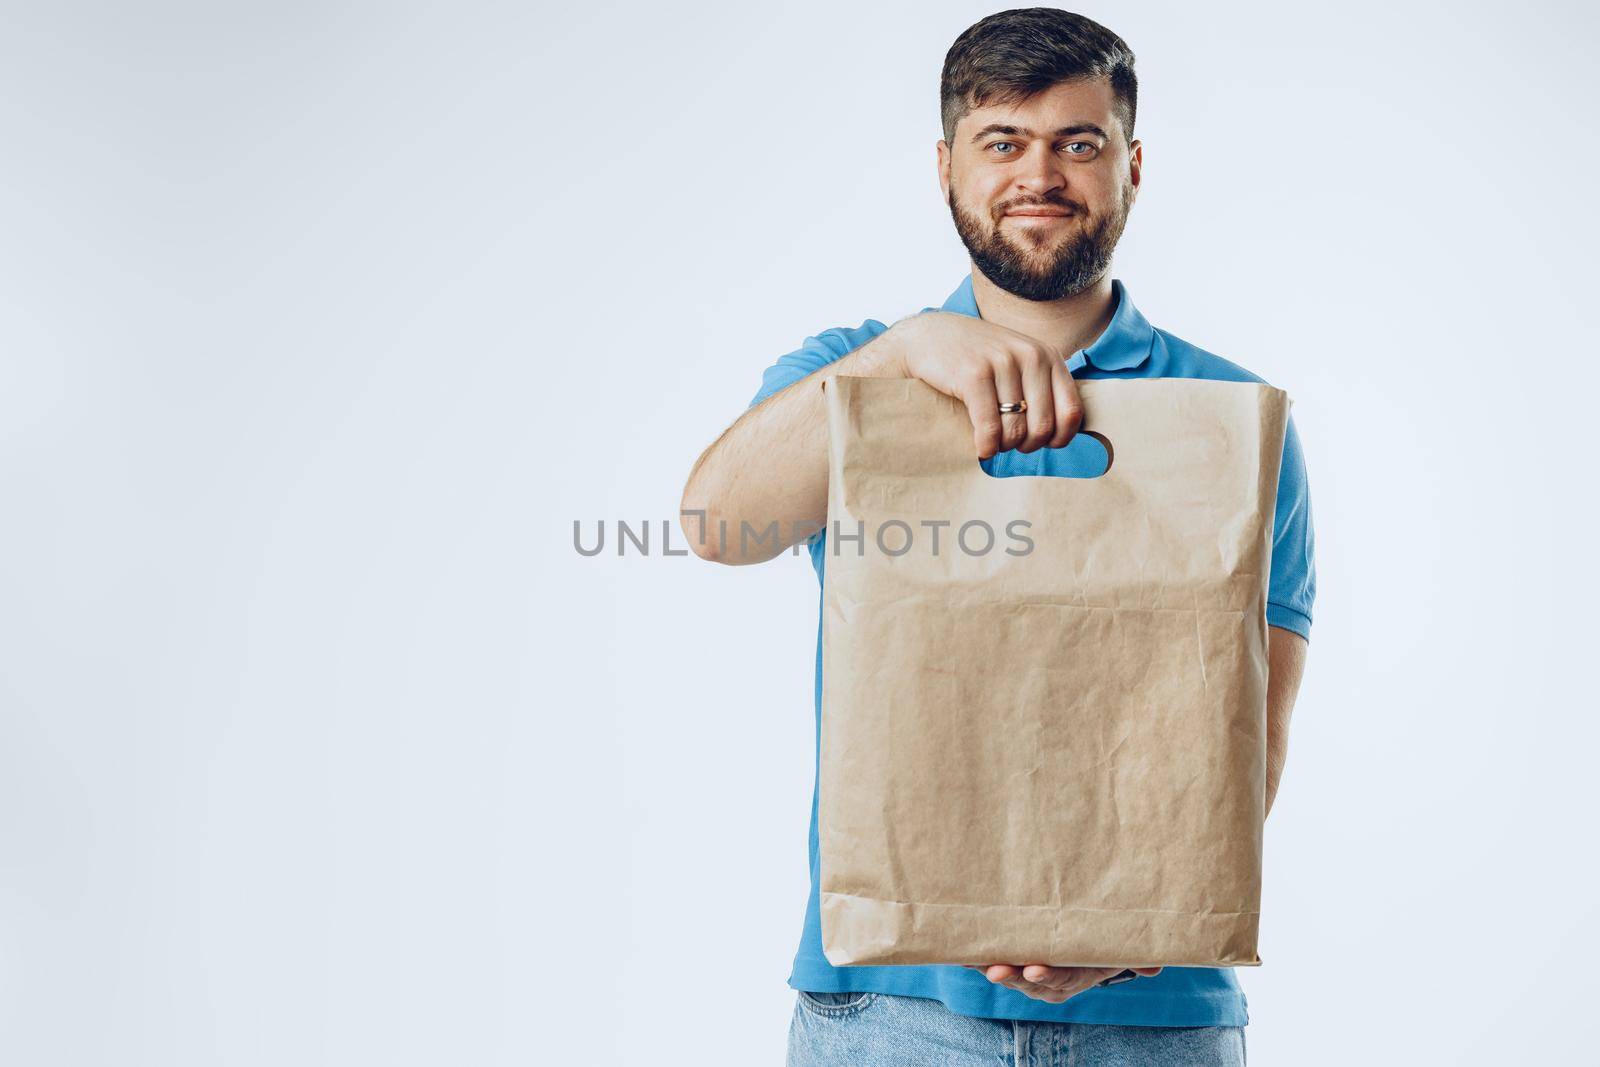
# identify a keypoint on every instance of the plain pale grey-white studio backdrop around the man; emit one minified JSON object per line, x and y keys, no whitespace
{"x":321,"y":324}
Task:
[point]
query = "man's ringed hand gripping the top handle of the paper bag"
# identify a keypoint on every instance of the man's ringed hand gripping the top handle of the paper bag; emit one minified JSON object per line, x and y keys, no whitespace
{"x":983,"y":366}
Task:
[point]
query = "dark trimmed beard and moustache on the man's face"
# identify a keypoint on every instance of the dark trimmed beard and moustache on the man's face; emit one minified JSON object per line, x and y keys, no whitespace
{"x":1012,"y":262}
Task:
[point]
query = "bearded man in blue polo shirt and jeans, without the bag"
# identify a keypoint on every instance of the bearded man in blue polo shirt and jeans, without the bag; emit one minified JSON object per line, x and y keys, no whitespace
{"x":1041,"y":170}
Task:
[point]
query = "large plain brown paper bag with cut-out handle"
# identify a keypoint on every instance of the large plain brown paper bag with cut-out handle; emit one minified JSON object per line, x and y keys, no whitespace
{"x":1052,"y":754}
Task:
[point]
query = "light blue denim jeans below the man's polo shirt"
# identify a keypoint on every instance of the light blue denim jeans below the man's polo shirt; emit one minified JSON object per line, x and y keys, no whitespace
{"x":884,"y":1031}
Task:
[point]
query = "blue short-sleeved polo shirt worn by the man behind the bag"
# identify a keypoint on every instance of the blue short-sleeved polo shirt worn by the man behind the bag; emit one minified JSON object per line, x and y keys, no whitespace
{"x":1180,"y":996}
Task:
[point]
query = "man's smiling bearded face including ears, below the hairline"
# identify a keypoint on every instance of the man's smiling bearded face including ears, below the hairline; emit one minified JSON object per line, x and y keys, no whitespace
{"x":1041,"y":191}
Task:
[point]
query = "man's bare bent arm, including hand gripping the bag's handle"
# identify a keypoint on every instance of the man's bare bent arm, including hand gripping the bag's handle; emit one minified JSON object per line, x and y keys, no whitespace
{"x":762,"y":487}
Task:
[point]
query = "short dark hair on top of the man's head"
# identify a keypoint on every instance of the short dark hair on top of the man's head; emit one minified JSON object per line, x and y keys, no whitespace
{"x":1014,"y":55}
